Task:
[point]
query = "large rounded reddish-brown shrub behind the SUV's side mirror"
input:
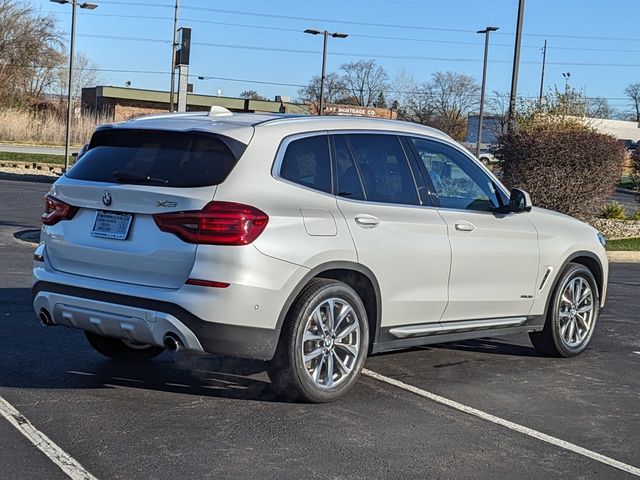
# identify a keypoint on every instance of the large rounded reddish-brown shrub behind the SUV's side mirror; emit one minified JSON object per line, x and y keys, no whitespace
{"x":563,"y":163}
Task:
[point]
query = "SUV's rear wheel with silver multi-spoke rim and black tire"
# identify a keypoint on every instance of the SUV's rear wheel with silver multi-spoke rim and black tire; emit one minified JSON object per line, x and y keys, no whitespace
{"x":323,"y":345}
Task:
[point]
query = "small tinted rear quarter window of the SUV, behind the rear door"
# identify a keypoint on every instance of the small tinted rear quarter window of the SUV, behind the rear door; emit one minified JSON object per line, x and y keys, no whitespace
{"x":306,"y":162}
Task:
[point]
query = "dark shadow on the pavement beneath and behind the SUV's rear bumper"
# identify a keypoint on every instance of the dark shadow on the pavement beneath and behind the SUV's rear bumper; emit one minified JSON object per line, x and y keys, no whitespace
{"x":37,"y":357}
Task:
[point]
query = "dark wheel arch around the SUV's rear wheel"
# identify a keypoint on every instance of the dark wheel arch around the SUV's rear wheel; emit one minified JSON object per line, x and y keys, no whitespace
{"x":358,"y":277}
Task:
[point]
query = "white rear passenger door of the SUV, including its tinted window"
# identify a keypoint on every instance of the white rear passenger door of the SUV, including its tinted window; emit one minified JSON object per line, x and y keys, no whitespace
{"x":398,"y":236}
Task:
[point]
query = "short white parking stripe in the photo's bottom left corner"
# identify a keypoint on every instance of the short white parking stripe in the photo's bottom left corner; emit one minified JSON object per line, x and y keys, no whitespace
{"x":66,"y":462}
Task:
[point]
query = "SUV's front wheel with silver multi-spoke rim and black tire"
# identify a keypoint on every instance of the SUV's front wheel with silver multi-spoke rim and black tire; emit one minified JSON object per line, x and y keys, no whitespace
{"x":572,"y":314}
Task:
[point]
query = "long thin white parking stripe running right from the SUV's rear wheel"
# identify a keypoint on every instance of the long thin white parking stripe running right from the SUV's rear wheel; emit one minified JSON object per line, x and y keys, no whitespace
{"x":506,"y":423}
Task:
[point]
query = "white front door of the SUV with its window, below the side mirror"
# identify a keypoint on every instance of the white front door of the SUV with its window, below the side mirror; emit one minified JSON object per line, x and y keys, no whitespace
{"x":495,"y":256}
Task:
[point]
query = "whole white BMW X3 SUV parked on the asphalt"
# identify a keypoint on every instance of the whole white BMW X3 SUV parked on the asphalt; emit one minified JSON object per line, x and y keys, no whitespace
{"x":310,"y":242}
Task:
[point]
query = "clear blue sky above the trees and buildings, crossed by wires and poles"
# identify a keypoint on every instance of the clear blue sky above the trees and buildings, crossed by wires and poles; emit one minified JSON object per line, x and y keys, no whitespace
{"x":598,"y":42}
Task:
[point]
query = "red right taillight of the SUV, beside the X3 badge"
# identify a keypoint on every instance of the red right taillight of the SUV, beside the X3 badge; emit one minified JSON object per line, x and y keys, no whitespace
{"x":218,"y":223}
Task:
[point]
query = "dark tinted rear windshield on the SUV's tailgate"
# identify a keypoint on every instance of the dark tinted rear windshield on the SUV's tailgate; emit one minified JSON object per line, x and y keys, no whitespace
{"x":163,"y":158}
